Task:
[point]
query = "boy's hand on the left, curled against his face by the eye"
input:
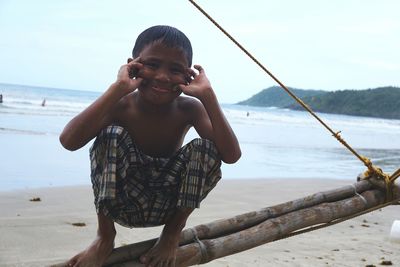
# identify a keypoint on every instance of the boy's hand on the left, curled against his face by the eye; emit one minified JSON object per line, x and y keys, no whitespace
{"x":127,"y":79}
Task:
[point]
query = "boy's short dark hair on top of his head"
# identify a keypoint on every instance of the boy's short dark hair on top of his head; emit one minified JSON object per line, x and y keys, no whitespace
{"x":169,"y":36}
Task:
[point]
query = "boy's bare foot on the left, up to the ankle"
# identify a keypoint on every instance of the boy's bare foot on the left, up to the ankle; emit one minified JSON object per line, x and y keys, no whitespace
{"x":95,"y":255}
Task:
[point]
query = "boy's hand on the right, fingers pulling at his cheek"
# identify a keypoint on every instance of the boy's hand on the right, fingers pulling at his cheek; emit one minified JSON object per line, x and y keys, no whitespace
{"x":199,"y":86}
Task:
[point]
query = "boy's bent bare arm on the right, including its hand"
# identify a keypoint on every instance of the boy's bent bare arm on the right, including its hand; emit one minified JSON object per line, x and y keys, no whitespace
{"x":210,"y":121}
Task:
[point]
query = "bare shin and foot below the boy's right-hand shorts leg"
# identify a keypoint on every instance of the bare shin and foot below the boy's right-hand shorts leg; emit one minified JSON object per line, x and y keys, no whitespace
{"x":163,"y":252}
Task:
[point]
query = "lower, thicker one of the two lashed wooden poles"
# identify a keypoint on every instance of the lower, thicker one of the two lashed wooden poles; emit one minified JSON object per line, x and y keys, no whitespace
{"x":270,"y":230}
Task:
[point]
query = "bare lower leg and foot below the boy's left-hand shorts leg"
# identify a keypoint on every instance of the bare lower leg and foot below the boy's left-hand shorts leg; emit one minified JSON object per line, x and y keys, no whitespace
{"x":101,"y":247}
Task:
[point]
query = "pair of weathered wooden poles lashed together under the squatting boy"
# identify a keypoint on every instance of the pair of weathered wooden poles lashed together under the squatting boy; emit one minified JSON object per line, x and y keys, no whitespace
{"x":206,"y":242}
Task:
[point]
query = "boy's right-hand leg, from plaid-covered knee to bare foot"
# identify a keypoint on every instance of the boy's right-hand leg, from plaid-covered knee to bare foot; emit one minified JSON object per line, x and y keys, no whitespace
{"x":202,"y":172}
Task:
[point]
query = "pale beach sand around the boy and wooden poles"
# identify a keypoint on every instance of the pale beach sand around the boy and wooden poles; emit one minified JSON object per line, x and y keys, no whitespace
{"x":38,"y":233}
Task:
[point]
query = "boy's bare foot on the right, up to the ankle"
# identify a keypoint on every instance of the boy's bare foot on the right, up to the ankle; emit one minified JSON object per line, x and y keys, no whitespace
{"x":163,"y":253}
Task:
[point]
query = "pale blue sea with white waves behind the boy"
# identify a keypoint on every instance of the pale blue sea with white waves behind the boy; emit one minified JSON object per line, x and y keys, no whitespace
{"x":276,"y":143}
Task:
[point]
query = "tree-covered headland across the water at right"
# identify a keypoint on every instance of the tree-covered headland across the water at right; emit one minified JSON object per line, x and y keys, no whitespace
{"x":382,"y":102}
